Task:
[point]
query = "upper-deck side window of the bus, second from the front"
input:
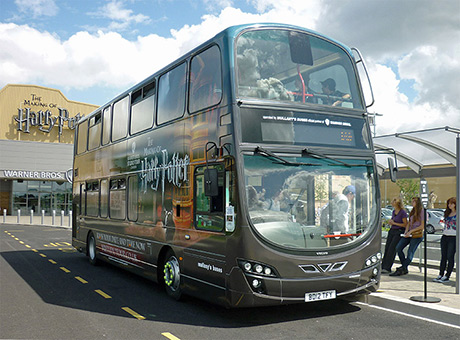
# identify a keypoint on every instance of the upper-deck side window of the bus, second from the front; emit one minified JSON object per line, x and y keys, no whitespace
{"x":171,"y":94}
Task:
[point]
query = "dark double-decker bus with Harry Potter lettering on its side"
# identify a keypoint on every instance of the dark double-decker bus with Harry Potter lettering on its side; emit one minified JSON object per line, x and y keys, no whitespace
{"x":242,"y":173}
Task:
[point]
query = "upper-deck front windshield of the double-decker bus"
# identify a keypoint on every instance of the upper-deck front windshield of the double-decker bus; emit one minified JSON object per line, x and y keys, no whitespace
{"x":287,"y":65}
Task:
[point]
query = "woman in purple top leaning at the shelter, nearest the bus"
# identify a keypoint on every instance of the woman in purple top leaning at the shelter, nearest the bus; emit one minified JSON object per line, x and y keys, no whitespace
{"x":398,"y":224}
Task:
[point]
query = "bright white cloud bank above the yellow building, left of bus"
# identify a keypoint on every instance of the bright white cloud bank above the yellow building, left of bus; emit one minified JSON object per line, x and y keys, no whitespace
{"x":84,"y":60}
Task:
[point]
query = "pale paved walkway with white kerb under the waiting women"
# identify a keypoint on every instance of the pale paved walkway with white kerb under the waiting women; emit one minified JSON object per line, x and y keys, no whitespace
{"x":396,"y":291}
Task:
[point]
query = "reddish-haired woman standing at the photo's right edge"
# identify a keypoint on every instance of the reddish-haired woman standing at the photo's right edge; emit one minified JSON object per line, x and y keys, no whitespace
{"x":448,"y":241}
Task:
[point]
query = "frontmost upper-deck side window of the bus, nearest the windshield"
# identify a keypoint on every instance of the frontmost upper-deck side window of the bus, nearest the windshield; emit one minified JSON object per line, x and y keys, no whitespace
{"x":205,"y":80}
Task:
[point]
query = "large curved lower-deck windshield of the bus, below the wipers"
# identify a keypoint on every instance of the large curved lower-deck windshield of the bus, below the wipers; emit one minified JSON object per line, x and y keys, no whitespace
{"x":310,"y":202}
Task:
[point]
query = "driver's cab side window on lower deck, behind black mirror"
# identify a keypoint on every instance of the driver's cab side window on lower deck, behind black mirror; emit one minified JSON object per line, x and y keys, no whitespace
{"x":209,"y":211}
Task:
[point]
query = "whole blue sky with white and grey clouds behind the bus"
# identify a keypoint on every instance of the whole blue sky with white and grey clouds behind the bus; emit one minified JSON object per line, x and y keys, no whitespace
{"x":92,"y":50}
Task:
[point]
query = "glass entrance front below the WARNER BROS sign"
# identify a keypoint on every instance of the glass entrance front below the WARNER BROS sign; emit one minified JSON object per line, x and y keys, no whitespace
{"x":40,"y":195}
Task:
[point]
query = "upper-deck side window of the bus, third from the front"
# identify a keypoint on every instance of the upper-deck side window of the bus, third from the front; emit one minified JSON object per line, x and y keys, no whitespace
{"x":142,"y":108}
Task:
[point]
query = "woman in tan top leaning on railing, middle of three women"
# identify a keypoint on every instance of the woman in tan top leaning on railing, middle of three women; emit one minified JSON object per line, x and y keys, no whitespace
{"x":413,"y":236}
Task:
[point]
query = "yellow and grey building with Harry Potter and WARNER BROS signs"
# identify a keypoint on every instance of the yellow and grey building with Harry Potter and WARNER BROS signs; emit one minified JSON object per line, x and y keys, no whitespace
{"x":36,"y":148}
